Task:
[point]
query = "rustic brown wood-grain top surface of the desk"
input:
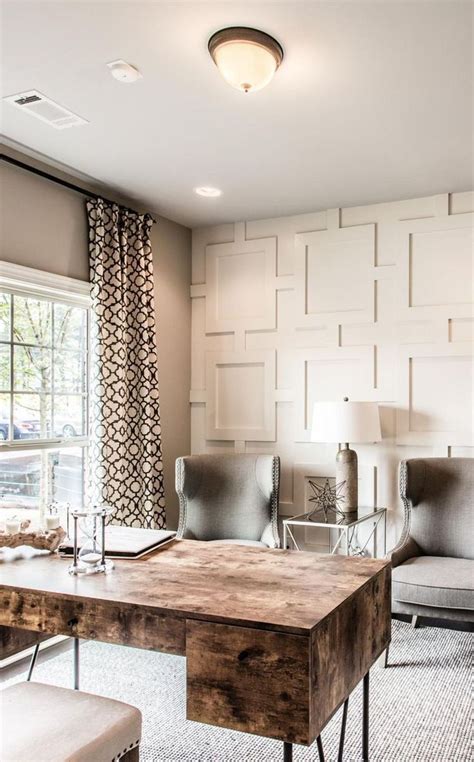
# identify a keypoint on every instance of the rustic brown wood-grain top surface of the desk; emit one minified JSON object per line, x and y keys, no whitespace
{"x":286,"y":591}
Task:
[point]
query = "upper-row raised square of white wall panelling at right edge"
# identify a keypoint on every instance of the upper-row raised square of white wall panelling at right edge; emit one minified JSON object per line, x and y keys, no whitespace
{"x":435,"y":273}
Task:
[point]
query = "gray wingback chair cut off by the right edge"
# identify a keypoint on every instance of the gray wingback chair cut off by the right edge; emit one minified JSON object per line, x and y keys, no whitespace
{"x":433,"y":567}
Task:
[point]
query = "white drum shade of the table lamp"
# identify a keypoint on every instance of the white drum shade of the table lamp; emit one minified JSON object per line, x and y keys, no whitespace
{"x":346,"y":422}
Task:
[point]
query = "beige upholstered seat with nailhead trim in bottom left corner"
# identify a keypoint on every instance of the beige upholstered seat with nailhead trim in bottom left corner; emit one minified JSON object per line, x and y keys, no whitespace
{"x":45,"y":723}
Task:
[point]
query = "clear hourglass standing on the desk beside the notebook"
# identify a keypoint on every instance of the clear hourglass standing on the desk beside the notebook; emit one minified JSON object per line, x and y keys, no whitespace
{"x":89,"y":540}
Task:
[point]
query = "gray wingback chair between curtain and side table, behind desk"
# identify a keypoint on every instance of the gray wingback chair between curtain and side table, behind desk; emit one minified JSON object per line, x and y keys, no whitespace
{"x":231,"y":498}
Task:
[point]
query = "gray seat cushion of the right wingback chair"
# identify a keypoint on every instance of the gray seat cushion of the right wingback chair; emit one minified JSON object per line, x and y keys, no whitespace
{"x":435,"y":581}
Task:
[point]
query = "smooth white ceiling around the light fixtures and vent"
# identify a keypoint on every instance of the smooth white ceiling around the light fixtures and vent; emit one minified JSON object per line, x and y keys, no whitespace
{"x":372,"y":103}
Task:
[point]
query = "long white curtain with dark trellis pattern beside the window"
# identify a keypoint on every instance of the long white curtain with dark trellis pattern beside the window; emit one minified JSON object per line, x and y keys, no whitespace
{"x":125,"y":462}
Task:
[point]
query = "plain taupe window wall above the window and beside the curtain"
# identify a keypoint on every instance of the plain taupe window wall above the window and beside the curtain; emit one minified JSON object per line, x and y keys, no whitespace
{"x":44,"y":226}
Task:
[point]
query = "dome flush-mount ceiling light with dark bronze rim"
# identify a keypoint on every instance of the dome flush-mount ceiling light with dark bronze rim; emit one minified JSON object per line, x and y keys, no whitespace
{"x":247,"y":58}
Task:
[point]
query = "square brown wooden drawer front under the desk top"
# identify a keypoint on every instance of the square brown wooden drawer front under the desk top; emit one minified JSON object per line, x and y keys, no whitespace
{"x":250,"y":680}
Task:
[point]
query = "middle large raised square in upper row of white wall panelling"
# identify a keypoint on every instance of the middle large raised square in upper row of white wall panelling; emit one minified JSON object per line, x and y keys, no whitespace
{"x":334,"y":275}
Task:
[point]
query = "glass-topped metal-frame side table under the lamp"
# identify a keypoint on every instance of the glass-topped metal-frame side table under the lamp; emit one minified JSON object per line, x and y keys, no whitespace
{"x":345,"y":526}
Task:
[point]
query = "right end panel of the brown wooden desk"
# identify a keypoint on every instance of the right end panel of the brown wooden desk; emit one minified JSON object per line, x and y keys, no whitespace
{"x":346,"y":644}
